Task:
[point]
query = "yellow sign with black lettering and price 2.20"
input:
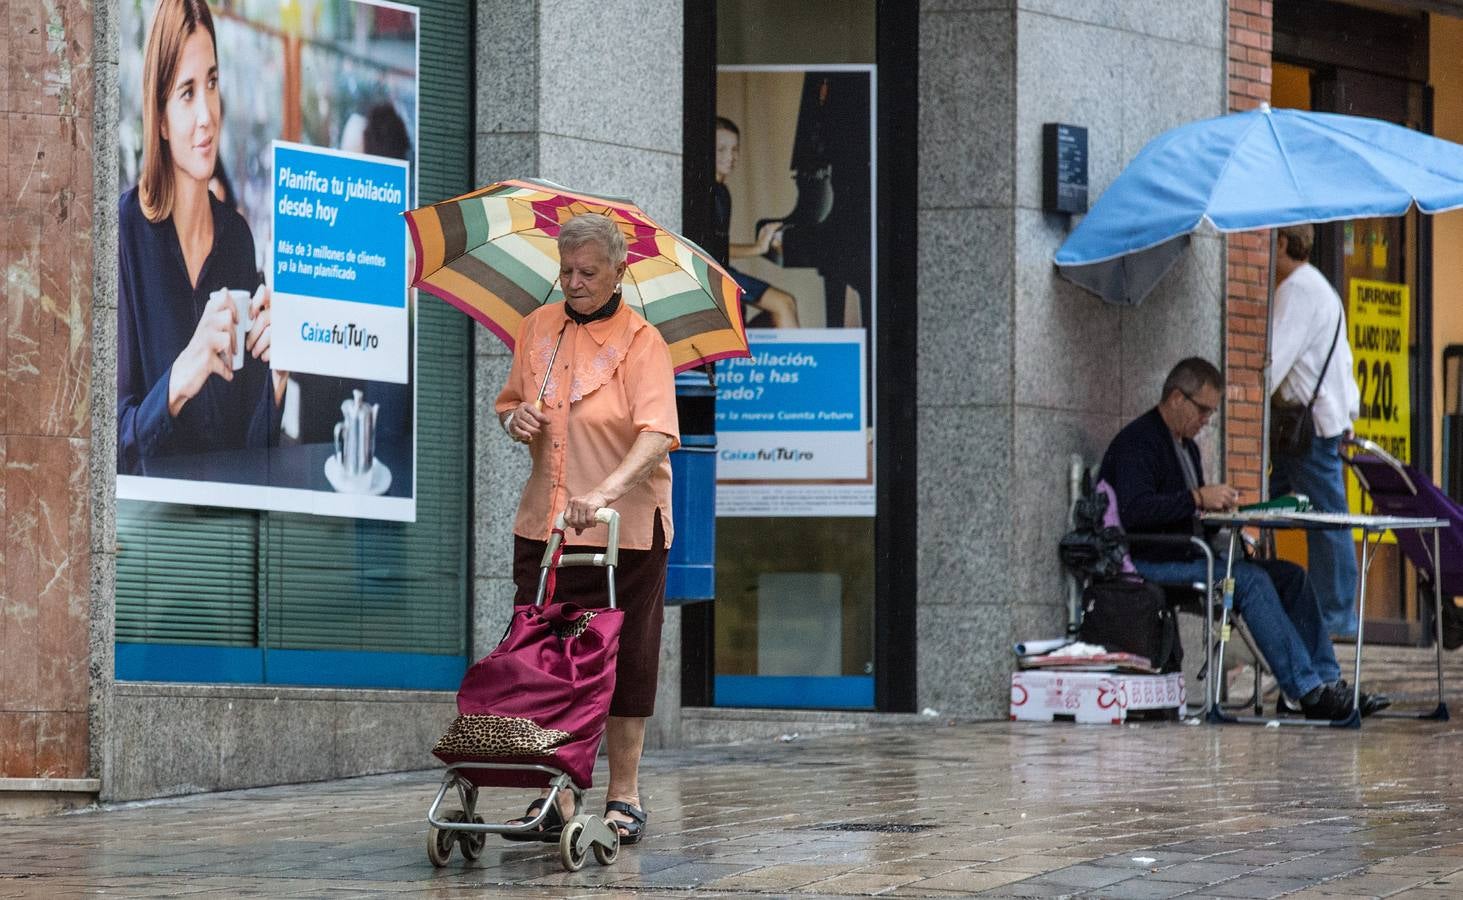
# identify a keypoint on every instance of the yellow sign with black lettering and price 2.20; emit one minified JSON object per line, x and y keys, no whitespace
{"x":1379,"y":326}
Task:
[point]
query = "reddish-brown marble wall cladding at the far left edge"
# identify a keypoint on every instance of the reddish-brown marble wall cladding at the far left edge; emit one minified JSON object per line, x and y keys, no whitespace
{"x":46,"y":364}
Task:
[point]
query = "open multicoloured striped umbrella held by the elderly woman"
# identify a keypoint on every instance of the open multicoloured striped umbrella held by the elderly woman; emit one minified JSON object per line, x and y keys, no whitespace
{"x":494,"y":255}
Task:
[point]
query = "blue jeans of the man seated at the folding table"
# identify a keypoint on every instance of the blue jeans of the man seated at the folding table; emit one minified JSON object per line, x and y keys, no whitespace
{"x":1279,"y":608}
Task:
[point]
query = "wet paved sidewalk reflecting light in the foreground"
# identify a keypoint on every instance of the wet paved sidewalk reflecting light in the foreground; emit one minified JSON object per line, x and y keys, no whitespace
{"x":1003,"y":810}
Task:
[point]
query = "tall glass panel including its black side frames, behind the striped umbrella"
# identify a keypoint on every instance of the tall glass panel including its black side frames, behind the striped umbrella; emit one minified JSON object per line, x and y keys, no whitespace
{"x":791,"y":125}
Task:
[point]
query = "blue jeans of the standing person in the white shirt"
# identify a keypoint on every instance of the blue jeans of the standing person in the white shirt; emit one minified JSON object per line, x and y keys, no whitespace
{"x":1332,"y":560}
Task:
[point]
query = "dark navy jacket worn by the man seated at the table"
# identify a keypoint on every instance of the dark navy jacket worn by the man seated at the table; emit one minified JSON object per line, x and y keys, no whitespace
{"x":1143,"y":469}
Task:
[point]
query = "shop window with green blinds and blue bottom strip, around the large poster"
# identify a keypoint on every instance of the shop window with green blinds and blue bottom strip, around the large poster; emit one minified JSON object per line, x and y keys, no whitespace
{"x":216,"y":595}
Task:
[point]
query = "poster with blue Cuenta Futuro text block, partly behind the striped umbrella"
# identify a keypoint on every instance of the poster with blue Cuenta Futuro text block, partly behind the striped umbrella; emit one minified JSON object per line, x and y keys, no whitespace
{"x":795,"y":211}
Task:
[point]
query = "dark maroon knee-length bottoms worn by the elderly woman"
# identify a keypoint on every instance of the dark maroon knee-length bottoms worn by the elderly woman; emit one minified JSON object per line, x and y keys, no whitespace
{"x":640,"y":590}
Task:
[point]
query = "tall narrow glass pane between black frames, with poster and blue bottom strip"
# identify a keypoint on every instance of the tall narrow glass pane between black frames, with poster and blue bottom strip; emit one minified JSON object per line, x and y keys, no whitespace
{"x":797,"y":207}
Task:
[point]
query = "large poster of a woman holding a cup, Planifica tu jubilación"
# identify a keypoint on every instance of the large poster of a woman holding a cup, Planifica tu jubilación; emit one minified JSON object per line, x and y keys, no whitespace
{"x":266,"y":331}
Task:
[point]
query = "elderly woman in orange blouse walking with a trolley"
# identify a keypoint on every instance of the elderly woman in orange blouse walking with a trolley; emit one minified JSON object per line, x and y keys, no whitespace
{"x":601,"y":437}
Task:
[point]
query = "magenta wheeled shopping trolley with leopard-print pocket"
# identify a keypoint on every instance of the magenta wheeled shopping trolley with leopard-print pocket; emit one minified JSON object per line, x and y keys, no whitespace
{"x":532,"y":715}
